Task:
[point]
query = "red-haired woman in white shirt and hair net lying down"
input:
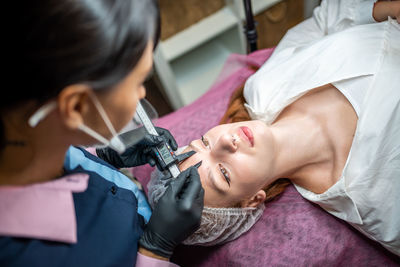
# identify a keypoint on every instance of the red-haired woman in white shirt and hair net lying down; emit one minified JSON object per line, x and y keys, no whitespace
{"x":325,"y":115}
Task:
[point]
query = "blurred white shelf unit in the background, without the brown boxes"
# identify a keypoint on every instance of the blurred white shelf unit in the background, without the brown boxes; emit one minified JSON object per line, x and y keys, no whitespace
{"x":188,"y":63}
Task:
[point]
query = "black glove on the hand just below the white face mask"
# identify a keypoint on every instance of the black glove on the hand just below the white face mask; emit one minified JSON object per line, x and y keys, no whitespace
{"x":140,"y":153}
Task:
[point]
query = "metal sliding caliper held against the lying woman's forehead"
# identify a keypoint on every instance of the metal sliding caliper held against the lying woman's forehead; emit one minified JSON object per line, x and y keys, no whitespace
{"x":164,"y":151}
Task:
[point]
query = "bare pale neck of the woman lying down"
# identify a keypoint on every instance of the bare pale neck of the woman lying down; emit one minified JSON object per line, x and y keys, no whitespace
{"x":300,"y":147}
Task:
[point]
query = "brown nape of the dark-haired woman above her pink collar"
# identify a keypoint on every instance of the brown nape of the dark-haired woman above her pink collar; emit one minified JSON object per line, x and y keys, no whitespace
{"x":31,"y":155}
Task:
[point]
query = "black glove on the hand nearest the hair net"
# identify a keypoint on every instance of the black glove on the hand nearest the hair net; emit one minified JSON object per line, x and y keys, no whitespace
{"x":176,"y":215}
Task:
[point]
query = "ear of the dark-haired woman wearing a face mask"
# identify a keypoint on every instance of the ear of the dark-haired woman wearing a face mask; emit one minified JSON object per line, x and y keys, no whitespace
{"x":73,"y":103}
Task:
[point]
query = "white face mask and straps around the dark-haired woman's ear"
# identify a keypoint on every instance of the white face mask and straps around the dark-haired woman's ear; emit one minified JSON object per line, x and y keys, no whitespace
{"x":115,"y":142}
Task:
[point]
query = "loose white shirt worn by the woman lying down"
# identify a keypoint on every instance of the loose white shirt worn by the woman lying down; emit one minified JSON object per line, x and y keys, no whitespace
{"x":342,"y":45}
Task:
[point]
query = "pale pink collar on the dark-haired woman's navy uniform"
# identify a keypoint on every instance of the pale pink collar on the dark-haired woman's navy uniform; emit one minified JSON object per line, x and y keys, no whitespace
{"x":43,"y":210}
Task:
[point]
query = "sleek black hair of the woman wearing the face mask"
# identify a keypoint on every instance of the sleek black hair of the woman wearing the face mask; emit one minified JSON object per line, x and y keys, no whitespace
{"x":54,"y":43}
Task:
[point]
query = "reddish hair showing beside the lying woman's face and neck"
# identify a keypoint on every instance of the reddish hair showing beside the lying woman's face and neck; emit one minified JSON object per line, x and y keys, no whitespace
{"x":236,"y":112}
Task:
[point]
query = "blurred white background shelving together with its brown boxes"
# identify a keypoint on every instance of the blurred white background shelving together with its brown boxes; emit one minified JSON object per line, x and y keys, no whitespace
{"x":191,"y":53}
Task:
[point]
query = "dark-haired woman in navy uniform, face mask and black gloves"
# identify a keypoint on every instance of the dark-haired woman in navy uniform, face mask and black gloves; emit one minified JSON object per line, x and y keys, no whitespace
{"x":74,"y":79}
